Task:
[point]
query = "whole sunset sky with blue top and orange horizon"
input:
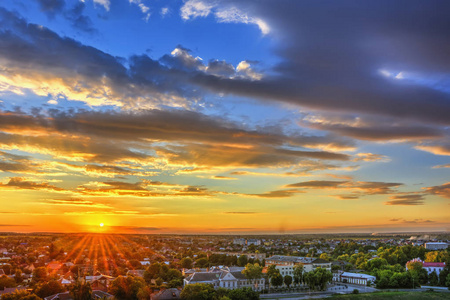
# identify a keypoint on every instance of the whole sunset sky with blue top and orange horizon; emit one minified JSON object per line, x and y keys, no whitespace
{"x":228,"y":117}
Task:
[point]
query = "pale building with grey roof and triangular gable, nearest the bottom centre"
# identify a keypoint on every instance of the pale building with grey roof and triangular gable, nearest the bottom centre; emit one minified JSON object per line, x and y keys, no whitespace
{"x":225,"y":279}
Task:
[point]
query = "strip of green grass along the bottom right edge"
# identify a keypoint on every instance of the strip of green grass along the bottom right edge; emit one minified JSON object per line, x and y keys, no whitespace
{"x":394,"y":296}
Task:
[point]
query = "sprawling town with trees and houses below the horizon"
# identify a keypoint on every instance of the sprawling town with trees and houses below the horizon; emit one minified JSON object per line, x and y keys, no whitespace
{"x":101,"y":266}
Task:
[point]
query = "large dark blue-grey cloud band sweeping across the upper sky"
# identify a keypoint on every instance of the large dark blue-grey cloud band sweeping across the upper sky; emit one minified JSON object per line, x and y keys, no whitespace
{"x":332,"y":64}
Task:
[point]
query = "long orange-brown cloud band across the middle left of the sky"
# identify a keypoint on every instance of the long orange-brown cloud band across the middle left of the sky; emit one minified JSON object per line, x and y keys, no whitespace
{"x":190,"y":139}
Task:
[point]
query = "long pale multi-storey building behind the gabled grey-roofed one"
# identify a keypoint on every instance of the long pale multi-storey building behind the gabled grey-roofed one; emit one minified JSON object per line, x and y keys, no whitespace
{"x":286,"y":264}
